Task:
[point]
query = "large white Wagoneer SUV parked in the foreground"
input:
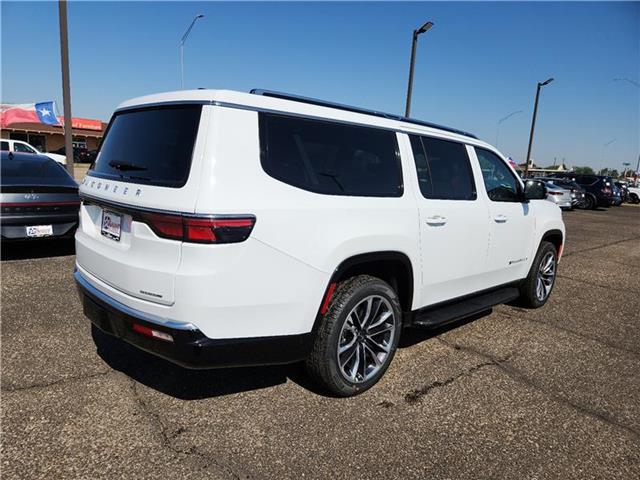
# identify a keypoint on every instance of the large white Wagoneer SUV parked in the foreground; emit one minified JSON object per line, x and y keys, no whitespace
{"x":221,"y":228}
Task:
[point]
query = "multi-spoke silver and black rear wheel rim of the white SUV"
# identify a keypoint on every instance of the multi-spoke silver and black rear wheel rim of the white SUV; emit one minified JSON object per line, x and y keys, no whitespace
{"x":366,"y":339}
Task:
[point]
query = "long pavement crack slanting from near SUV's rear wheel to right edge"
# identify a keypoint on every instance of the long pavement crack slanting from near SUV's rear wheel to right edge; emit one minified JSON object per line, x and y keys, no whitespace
{"x":520,"y":377}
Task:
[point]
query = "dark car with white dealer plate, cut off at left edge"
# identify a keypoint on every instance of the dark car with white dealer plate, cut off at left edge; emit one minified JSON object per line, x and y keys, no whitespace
{"x":39,"y":199}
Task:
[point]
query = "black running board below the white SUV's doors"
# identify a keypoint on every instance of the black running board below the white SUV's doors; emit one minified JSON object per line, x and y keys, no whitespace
{"x":458,"y":309}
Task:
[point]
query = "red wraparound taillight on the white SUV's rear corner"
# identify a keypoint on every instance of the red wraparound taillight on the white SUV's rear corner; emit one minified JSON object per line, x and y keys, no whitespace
{"x":196,"y":229}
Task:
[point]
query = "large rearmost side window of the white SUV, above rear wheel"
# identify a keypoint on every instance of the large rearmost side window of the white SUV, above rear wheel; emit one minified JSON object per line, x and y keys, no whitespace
{"x":330,"y":158}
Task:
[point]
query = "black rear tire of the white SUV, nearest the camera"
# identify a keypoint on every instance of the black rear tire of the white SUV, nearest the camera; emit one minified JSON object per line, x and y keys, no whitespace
{"x":323,"y":365}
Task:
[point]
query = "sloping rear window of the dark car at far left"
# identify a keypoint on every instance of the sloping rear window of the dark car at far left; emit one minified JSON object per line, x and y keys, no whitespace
{"x":15,"y":171}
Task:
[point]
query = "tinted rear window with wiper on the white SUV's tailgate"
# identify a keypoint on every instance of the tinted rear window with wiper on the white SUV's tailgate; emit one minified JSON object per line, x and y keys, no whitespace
{"x":151,"y":145}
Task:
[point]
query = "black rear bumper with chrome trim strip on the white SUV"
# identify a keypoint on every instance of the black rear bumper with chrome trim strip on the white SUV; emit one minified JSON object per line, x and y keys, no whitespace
{"x":190,"y":348}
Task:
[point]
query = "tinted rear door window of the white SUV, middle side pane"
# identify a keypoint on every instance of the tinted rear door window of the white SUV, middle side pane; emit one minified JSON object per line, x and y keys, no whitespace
{"x":444,"y":171}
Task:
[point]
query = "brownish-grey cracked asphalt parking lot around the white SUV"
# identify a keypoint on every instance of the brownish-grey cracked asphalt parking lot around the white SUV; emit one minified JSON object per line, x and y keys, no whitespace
{"x":550,"y":393}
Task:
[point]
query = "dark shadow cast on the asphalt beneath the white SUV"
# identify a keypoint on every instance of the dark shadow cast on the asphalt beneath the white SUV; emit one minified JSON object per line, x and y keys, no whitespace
{"x":187,"y":384}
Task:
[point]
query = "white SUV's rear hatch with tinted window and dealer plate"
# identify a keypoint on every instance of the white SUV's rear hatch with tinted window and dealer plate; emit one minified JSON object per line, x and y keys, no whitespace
{"x":145,"y":169}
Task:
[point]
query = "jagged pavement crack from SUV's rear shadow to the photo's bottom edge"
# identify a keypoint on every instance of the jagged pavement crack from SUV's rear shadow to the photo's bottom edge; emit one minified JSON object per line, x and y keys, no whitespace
{"x":166,"y":439}
